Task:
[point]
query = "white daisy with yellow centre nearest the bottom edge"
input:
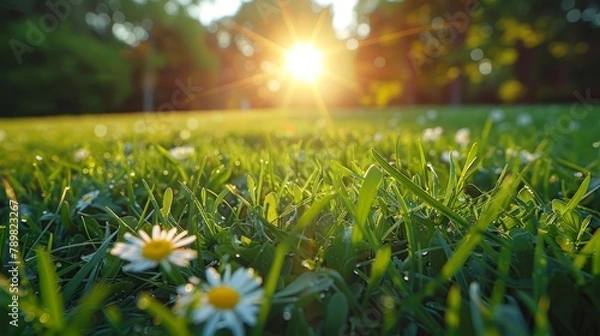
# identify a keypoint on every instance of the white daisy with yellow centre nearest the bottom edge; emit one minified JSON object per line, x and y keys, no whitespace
{"x":228,"y":302}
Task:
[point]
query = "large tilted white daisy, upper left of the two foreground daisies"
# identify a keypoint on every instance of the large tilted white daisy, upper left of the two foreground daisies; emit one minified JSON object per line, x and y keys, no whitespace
{"x":162,"y":248}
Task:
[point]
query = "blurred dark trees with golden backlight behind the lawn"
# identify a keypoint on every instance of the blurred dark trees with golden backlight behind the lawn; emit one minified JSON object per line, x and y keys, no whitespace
{"x":74,"y":56}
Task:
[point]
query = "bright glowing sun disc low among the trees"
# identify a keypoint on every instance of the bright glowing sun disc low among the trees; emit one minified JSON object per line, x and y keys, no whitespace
{"x":304,"y":62}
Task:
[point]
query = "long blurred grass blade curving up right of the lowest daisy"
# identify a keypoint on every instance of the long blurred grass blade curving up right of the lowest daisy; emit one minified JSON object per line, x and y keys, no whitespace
{"x":280,"y":253}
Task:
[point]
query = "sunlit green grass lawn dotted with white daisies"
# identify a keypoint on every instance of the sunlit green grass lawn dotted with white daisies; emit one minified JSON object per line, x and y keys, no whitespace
{"x":417,"y":221}
